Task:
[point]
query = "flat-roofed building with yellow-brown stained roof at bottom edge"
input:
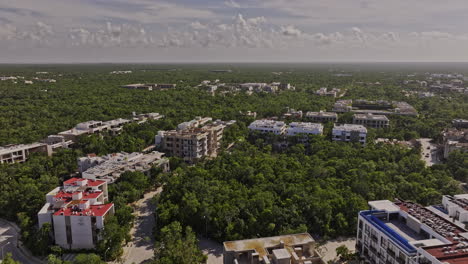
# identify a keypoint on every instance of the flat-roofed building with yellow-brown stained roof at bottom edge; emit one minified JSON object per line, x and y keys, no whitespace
{"x":287,"y":249}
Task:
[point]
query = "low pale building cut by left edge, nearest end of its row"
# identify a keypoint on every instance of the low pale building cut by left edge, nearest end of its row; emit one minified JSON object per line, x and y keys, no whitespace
{"x":20,"y":153}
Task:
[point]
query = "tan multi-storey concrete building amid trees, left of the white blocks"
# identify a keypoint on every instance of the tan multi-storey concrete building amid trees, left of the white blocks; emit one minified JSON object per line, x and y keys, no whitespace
{"x":194,"y":139}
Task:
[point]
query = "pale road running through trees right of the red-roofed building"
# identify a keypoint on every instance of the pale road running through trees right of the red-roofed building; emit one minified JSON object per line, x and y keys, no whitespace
{"x":140,"y":249}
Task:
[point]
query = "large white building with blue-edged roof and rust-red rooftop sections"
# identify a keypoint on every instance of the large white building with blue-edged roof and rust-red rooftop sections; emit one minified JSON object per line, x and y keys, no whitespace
{"x":403,"y":232}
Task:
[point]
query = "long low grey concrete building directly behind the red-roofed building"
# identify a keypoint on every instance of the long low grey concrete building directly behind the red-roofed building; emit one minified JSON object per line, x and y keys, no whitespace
{"x":110,"y":167}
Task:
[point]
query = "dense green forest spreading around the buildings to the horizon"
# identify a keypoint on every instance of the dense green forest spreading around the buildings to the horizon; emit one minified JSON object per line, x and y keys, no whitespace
{"x":250,"y":190}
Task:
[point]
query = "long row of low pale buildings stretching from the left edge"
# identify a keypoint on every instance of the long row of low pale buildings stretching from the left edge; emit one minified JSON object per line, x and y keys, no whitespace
{"x":18,"y":153}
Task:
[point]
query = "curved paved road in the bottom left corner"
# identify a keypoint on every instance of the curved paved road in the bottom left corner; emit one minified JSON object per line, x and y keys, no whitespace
{"x":9,"y":234}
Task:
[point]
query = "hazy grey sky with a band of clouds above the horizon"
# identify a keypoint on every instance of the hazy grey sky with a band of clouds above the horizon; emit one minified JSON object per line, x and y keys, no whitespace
{"x":160,"y":31}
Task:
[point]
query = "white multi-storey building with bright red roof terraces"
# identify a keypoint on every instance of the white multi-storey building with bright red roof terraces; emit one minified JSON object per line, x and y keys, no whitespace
{"x":77,"y":212}
